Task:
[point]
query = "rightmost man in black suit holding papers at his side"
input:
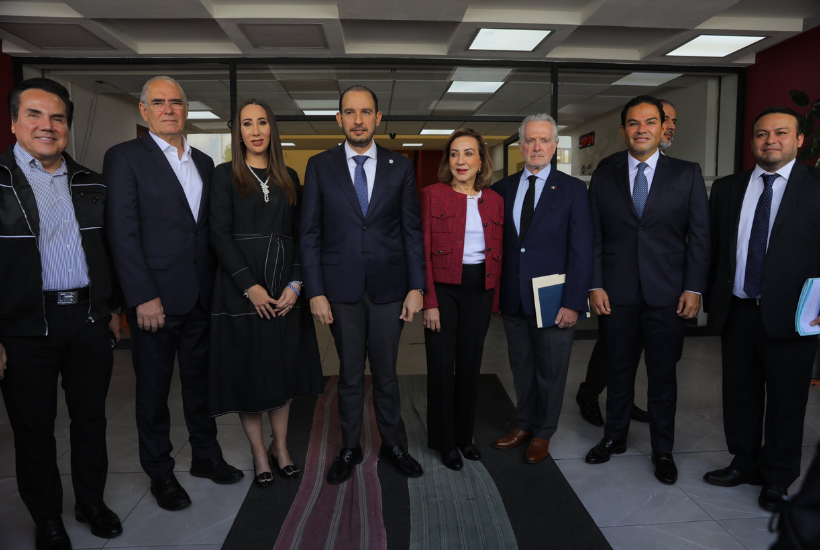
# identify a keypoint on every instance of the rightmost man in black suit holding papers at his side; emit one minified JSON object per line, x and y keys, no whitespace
{"x":766,"y":243}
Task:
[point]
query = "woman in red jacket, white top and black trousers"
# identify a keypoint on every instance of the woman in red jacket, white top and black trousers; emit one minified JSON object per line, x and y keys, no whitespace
{"x":463,"y":221}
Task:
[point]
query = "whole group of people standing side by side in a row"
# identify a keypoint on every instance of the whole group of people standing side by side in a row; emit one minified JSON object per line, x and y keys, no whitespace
{"x":216,"y":268}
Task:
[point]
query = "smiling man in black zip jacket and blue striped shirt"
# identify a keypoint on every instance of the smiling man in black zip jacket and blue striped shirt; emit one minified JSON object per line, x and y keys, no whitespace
{"x":56,"y":310}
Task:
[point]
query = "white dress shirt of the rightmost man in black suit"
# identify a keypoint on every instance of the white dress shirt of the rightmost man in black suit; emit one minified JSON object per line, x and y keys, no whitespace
{"x":747,"y":215}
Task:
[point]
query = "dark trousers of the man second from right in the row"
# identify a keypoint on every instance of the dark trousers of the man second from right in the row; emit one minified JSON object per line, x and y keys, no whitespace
{"x":660,"y":330}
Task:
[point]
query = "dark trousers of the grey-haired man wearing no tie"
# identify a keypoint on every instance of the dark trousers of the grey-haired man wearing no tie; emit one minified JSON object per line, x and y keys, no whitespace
{"x":184,"y":337}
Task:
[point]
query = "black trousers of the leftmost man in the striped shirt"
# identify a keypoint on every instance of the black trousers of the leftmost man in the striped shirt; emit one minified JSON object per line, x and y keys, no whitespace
{"x":80,"y":352}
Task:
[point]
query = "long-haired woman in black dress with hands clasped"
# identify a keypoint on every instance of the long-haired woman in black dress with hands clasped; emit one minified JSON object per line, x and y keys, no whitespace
{"x":263,"y":348}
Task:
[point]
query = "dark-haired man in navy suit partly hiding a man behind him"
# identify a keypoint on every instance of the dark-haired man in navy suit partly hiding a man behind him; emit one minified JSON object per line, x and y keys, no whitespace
{"x":650,"y":267}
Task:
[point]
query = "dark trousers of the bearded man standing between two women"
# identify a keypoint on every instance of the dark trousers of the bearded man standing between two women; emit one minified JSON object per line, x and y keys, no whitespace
{"x":365,"y":330}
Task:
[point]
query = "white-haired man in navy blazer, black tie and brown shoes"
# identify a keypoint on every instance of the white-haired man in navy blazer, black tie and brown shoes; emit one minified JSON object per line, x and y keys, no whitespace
{"x":547,"y":231}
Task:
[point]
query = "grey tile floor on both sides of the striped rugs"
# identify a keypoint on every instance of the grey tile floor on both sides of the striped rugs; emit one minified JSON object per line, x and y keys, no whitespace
{"x":623,"y":497}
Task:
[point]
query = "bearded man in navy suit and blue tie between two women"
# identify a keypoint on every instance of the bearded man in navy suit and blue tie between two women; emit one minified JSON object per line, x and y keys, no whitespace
{"x":363,"y":262}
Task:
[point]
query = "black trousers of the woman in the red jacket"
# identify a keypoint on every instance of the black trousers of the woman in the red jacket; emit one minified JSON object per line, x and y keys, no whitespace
{"x":454,"y":359}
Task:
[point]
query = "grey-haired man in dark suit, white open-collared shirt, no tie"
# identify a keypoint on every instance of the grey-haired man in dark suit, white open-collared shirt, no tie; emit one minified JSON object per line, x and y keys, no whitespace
{"x":158,"y":228}
